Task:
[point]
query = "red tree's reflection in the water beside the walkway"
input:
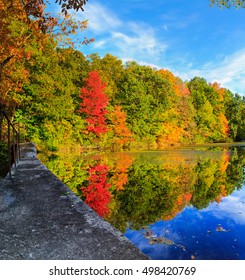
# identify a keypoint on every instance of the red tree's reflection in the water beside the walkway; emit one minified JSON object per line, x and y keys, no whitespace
{"x":97,"y":194}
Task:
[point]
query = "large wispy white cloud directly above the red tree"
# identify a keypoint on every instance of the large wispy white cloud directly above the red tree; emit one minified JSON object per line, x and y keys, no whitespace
{"x":120,"y":37}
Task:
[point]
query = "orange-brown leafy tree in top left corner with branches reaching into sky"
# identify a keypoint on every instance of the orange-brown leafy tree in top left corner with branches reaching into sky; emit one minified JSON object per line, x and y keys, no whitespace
{"x":24,"y":25}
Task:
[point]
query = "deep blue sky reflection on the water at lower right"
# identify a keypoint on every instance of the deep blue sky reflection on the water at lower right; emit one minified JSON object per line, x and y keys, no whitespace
{"x":216,"y":232}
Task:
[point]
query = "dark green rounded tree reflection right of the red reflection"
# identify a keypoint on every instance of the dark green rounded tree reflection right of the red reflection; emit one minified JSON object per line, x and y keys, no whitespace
{"x":147,"y":196}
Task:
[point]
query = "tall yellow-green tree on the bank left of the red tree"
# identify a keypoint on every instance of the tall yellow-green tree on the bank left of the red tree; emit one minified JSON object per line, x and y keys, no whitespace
{"x":48,"y":110}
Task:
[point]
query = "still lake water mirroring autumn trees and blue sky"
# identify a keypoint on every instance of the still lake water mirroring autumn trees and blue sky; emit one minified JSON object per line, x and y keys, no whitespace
{"x":176,"y":204}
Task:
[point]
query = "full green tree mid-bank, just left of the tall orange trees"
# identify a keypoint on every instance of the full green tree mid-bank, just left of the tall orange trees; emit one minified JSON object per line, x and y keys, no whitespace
{"x":144,"y":95}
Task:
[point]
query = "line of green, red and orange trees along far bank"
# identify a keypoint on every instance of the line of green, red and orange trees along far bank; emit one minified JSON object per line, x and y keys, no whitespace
{"x":99,"y":102}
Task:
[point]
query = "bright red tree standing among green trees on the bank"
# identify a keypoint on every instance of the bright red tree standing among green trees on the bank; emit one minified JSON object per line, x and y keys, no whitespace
{"x":94,"y":102}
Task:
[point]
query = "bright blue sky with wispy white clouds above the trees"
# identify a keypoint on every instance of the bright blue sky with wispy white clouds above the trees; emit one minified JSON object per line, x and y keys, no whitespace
{"x":188,"y":37}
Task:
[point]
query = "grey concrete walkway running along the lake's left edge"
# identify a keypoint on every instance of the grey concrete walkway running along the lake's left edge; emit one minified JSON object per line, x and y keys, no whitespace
{"x":40,"y":218}
